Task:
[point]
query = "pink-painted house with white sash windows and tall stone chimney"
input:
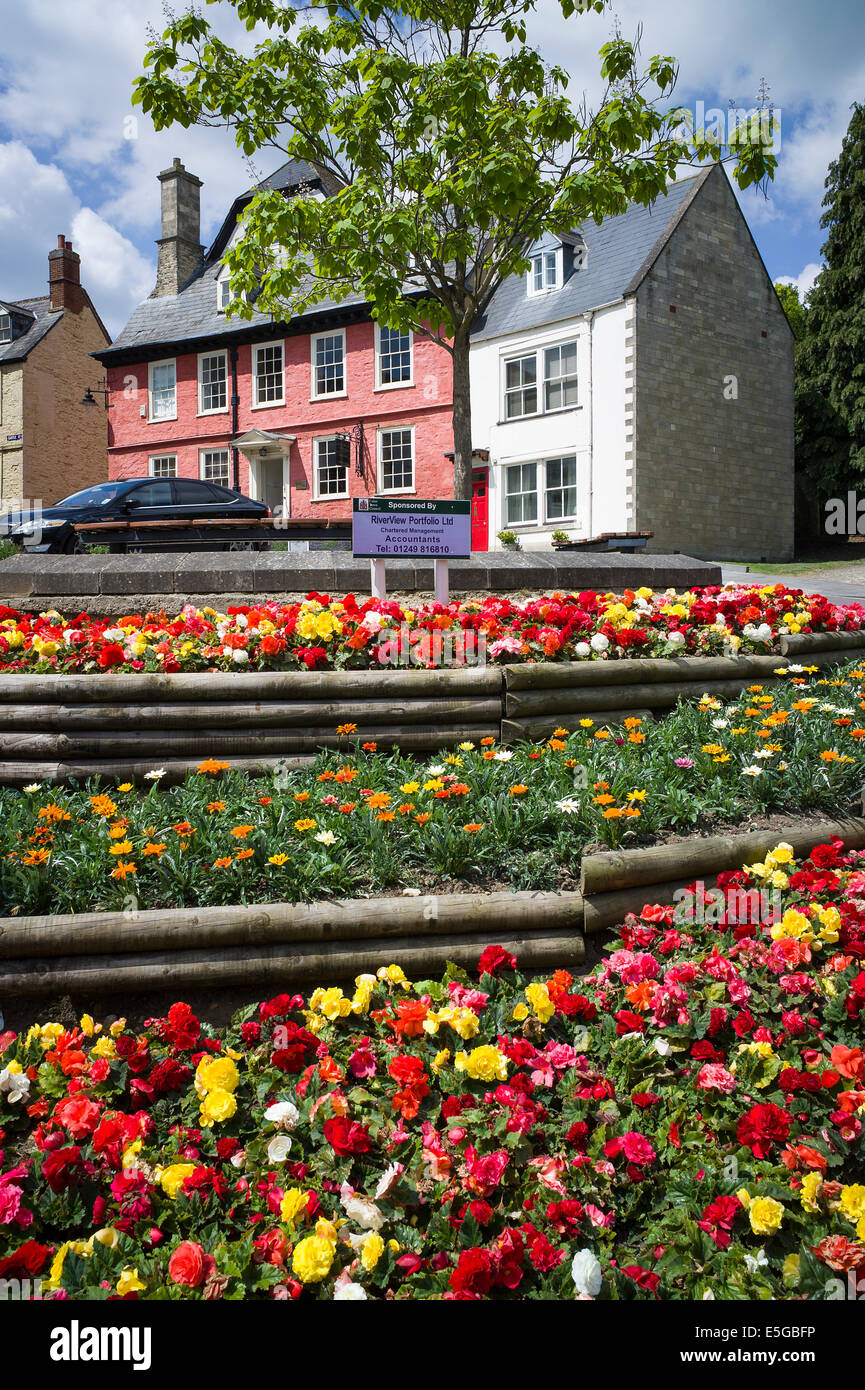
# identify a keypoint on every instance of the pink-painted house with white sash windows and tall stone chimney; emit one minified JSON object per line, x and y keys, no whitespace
{"x":304,"y":416}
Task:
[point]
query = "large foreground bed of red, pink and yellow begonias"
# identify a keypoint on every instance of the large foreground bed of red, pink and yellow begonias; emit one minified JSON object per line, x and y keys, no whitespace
{"x":684,"y":1124}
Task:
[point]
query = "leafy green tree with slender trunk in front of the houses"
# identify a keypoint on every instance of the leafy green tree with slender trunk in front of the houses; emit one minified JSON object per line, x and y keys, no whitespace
{"x":454,"y":145}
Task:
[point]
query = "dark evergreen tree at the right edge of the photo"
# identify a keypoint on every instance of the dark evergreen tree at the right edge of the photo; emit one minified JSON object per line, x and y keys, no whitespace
{"x":831,"y":354}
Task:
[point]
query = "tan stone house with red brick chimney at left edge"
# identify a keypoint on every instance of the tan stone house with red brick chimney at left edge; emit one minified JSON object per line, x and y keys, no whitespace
{"x":51,"y":445}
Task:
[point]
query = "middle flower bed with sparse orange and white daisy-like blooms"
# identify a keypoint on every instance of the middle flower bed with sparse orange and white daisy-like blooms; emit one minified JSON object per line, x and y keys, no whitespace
{"x":365,"y":822}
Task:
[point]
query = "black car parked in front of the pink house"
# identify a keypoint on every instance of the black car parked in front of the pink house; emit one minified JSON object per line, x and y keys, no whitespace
{"x":194,"y":508}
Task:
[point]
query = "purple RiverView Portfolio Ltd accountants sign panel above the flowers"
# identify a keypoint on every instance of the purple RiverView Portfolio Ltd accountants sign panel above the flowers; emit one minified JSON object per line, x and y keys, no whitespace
{"x":411,"y":528}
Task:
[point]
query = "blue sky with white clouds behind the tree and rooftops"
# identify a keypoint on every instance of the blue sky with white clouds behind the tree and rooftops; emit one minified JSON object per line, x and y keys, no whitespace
{"x":76,"y":158}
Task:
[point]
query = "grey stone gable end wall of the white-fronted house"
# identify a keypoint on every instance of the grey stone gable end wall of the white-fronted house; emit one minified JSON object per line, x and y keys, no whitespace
{"x":714,"y":393}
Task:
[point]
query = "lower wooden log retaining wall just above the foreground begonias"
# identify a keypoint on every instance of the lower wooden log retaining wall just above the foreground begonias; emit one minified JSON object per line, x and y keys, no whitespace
{"x":325,"y":943}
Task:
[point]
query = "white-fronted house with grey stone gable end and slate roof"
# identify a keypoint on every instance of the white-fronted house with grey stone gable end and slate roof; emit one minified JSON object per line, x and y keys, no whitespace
{"x":640,"y":379}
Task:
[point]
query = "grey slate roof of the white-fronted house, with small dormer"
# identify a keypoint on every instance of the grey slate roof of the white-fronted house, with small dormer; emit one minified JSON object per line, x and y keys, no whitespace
{"x":621,"y":252}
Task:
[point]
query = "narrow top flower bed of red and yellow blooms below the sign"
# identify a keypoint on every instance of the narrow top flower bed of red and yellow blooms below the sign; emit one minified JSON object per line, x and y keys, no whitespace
{"x":325,"y":633}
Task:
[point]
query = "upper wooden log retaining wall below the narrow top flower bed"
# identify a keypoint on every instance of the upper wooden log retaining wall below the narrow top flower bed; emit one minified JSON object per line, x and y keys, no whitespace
{"x":60,"y":728}
